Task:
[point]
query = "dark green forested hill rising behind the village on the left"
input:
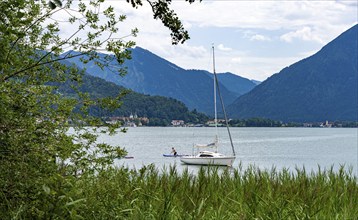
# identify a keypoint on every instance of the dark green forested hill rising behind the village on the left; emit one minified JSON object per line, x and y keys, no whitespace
{"x":160,"y":110}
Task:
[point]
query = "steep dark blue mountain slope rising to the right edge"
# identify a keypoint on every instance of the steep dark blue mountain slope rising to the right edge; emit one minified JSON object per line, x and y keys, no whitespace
{"x":318,"y":88}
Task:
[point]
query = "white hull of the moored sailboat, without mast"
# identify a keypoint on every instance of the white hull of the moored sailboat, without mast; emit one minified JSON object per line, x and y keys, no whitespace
{"x":218,"y":161}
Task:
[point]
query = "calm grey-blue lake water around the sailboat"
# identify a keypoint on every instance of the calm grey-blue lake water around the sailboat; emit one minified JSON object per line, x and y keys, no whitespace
{"x":262,"y":147}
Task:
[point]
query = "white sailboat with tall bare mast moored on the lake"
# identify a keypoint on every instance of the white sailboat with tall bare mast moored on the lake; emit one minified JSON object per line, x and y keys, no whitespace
{"x":206,"y":157}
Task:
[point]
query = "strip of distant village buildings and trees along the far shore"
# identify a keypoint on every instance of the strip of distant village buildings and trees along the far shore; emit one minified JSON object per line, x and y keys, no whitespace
{"x":133,"y":120}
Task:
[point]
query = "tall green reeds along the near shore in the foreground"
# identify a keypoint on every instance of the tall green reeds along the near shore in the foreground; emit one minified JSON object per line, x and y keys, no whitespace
{"x":150,"y":193}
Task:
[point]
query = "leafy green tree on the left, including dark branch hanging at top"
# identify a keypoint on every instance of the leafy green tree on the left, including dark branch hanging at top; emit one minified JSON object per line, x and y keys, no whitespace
{"x":40,"y":158}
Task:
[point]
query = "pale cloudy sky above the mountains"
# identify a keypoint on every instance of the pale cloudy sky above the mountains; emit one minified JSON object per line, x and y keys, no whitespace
{"x":253,"y":39}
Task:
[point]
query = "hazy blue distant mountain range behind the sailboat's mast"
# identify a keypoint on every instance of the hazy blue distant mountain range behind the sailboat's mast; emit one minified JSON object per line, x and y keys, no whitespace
{"x":150,"y":74}
